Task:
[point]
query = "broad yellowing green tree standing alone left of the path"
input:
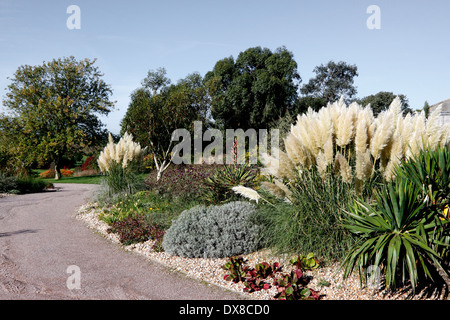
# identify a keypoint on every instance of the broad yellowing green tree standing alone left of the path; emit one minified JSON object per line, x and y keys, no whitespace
{"x":54,"y":108}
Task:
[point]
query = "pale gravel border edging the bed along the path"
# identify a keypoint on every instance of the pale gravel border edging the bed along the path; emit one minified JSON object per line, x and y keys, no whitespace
{"x":210,"y":270}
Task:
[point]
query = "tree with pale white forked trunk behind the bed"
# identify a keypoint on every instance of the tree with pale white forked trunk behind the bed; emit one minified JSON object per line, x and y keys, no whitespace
{"x":153,"y":115}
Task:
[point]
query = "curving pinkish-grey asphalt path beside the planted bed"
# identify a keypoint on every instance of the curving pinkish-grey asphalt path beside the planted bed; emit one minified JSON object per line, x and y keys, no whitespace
{"x":47,"y":254}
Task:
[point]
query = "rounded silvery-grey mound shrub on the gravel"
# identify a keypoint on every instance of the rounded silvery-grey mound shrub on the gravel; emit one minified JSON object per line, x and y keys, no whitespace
{"x":213,"y":232}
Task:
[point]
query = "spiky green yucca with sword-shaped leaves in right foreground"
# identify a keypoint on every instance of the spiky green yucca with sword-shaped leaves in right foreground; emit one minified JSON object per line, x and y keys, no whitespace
{"x":396,"y":234}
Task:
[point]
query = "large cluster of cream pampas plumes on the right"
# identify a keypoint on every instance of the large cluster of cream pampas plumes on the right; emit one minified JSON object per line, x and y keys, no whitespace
{"x":358,"y":142}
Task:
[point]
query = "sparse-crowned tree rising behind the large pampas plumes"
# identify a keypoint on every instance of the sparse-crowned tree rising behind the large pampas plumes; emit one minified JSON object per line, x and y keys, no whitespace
{"x":332,"y":81}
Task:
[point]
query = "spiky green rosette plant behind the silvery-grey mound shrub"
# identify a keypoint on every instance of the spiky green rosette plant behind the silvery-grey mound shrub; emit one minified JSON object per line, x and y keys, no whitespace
{"x":217,"y":188}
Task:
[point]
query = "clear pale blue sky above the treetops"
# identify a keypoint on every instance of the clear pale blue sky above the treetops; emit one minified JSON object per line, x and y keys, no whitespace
{"x":409,"y":55}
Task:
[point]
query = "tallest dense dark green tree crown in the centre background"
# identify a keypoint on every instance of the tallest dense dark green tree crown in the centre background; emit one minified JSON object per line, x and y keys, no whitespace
{"x":253,"y":91}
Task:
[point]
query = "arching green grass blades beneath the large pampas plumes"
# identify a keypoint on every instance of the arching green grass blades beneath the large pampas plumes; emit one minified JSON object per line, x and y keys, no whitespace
{"x":310,"y":220}
